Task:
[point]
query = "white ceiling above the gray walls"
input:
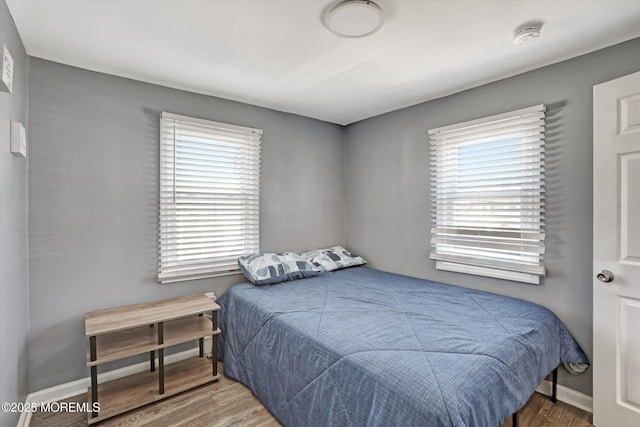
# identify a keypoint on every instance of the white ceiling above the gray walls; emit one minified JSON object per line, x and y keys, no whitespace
{"x":277,"y":53}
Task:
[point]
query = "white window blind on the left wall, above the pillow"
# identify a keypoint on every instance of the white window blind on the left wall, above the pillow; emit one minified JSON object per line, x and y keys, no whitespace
{"x":209,"y":197}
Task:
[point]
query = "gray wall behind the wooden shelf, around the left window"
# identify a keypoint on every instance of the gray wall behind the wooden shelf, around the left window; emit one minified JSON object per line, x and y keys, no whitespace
{"x":93,"y":197}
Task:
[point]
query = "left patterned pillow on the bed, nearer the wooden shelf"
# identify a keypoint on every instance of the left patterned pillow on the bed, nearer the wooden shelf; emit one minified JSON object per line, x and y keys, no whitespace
{"x":271,"y":268}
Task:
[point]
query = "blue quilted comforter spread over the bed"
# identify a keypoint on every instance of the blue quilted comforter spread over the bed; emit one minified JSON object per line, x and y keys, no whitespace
{"x":360,"y":347}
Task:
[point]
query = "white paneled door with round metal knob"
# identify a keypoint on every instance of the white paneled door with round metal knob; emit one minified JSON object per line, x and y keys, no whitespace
{"x":616,"y":249}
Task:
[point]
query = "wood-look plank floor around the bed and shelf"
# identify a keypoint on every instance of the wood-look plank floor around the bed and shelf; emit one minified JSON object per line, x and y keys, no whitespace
{"x":229,"y":403}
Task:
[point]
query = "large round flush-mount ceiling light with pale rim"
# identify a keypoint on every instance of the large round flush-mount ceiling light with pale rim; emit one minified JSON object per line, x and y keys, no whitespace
{"x":354,"y":18}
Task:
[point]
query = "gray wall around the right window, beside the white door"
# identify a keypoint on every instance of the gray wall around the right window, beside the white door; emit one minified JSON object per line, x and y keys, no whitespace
{"x":387,"y":178}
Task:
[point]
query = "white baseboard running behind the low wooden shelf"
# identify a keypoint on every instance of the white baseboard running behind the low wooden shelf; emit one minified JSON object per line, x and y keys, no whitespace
{"x":77,"y":387}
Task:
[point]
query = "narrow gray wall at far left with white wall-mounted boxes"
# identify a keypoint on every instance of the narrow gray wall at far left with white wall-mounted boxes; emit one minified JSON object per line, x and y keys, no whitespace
{"x":14,"y":259}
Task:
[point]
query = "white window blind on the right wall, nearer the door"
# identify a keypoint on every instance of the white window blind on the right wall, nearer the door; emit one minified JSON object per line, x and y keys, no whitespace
{"x":487,"y":184}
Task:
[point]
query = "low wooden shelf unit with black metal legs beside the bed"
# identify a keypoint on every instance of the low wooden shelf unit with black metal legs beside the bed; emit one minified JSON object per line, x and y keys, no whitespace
{"x":122,"y":332}
